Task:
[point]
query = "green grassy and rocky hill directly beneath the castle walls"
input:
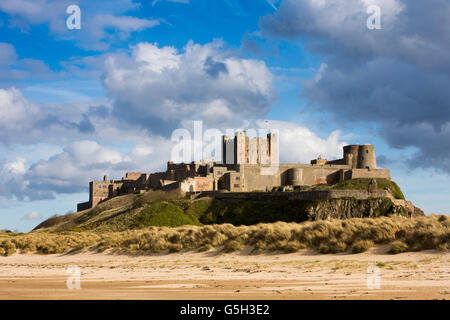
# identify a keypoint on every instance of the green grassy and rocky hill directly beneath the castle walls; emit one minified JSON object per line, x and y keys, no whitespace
{"x":157,"y":208}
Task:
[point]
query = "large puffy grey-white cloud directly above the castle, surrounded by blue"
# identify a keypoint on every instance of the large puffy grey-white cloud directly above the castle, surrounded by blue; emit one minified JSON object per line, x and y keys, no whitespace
{"x":158,"y":86}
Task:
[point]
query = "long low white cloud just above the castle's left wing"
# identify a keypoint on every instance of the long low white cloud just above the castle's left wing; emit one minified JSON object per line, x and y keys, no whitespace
{"x":85,"y":160}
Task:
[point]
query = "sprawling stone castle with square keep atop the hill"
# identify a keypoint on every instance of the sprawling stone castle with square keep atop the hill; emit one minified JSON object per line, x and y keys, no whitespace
{"x":248,"y":165}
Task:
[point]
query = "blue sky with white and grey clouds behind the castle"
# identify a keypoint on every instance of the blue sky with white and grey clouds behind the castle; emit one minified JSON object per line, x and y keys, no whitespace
{"x":105,"y":98}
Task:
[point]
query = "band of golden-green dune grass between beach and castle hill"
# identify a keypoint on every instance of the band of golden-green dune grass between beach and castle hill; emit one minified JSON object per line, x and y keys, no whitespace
{"x":351,"y":235}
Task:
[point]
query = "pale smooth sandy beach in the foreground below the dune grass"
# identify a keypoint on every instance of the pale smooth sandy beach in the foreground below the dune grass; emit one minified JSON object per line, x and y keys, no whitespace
{"x":211,"y":275}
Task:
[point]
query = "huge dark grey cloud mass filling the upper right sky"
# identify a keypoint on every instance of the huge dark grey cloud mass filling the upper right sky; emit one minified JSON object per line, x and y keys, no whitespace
{"x":397,"y":77}
